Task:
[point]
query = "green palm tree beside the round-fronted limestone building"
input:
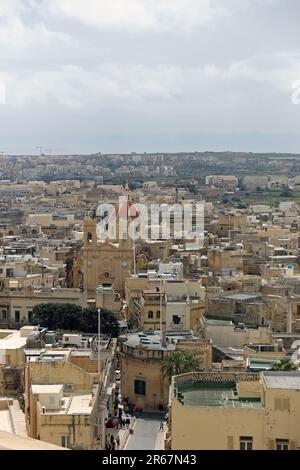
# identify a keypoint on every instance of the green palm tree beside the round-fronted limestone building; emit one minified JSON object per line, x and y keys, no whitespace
{"x":179,"y":362}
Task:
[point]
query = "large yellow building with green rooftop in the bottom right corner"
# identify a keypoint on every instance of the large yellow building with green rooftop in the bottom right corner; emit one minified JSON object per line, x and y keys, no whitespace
{"x":235,"y":411}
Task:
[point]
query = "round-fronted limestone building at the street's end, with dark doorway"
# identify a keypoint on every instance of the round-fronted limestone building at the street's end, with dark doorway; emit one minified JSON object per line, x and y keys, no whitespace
{"x":141,"y":360}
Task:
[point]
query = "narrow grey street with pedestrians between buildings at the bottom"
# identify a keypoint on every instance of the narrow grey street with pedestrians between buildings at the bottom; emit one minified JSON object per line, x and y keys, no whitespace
{"x":146,"y":435}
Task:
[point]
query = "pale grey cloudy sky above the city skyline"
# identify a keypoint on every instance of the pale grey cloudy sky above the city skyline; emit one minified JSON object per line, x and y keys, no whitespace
{"x":149,"y":75}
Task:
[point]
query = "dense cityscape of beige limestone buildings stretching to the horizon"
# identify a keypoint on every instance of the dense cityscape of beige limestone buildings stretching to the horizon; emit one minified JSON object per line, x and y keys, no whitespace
{"x":130,"y":344}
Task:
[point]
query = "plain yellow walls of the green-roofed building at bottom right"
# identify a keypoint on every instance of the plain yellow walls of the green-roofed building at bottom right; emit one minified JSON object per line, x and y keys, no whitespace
{"x":220,"y":428}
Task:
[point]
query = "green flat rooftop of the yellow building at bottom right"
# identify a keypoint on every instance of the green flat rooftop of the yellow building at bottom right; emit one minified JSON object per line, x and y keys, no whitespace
{"x":209,"y":394}
